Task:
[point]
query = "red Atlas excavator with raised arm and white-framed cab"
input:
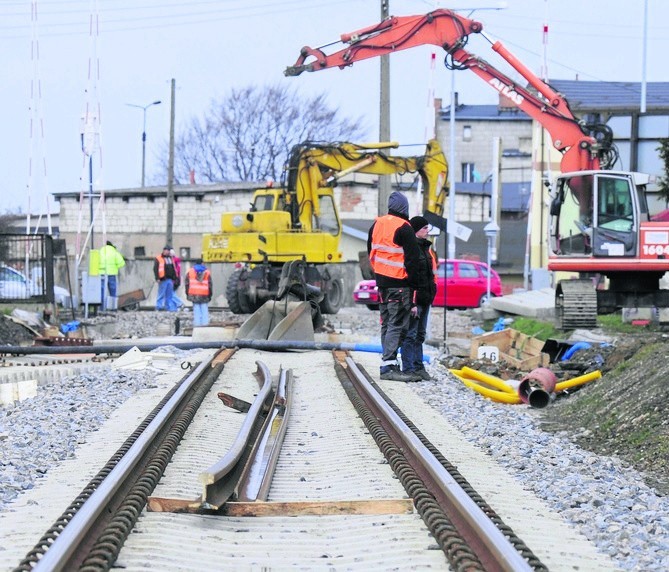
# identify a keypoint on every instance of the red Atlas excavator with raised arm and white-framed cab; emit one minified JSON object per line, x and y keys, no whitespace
{"x":600,"y":226}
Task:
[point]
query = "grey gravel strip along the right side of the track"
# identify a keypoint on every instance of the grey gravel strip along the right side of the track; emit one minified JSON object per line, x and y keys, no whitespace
{"x":607,"y":502}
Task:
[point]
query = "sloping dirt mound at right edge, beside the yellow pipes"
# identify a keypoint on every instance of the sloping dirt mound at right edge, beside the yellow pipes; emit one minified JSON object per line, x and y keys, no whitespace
{"x":624,"y":413}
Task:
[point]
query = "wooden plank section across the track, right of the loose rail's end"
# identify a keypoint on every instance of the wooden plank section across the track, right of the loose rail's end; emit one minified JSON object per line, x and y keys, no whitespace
{"x":302,"y":508}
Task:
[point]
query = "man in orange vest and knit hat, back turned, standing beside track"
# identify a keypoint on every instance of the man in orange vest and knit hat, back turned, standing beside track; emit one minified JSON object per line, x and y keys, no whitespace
{"x":394,"y":257}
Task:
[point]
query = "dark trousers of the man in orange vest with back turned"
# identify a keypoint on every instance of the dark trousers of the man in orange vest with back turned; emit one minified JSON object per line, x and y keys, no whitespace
{"x":395,"y":307}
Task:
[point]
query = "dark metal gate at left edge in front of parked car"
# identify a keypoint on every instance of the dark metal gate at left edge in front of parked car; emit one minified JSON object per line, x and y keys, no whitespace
{"x":26,"y":268}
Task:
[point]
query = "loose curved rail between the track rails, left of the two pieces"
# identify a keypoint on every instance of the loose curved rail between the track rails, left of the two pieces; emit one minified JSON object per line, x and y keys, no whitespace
{"x":219,"y":480}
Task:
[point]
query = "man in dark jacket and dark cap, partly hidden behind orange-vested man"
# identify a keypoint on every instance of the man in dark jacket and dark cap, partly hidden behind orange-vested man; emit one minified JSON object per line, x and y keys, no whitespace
{"x":426,"y":289}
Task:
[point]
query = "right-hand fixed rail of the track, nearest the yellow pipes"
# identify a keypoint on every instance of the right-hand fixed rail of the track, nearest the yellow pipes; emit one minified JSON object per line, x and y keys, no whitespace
{"x":493,"y":548}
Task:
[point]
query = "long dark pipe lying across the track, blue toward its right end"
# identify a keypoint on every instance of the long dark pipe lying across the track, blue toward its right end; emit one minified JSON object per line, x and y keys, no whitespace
{"x":145,"y":347}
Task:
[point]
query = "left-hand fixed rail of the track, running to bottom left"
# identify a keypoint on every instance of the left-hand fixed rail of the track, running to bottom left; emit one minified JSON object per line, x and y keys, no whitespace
{"x":59,"y":554}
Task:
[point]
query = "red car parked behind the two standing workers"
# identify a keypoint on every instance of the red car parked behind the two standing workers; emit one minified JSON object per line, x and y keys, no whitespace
{"x":460,"y":284}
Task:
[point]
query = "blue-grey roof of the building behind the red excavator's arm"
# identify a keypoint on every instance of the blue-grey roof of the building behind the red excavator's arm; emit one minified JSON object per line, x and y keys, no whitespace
{"x":612,"y":95}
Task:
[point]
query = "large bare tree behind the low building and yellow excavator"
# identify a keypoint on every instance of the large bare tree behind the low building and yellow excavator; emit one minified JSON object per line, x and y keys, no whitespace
{"x":247,"y":134}
